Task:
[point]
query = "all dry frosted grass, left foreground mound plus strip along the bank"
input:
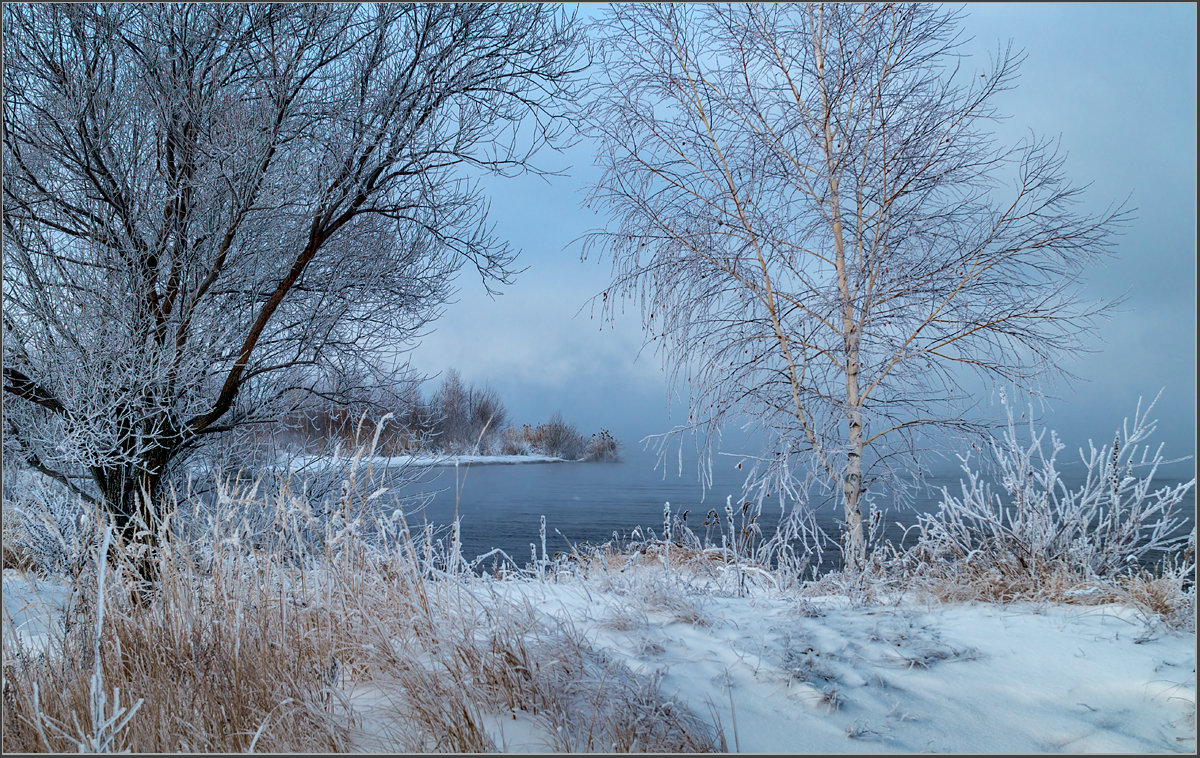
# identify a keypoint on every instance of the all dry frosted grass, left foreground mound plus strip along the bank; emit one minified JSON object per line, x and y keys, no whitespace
{"x":274,"y":629}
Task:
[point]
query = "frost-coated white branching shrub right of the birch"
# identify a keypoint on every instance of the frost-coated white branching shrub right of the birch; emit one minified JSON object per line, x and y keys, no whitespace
{"x":1029,"y":525}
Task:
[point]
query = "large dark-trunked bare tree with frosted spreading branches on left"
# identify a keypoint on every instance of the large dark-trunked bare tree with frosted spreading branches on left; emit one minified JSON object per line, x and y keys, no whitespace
{"x":211,"y":207}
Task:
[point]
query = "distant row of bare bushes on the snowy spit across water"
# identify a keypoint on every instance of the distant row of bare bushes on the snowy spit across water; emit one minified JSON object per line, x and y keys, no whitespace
{"x":454,"y":419}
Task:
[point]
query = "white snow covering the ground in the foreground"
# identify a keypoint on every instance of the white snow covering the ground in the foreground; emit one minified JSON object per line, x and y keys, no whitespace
{"x":783,"y":673}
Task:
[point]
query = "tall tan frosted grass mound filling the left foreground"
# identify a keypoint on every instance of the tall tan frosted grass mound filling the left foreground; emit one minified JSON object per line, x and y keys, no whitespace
{"x":271,"y":649}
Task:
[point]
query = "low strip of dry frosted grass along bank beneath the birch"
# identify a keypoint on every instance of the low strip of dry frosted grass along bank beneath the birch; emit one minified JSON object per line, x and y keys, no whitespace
{"x":1166,"y":595}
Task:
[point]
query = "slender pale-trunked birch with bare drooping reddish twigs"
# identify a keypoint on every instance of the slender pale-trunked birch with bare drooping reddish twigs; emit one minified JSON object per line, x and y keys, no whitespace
{"x":820,"y":228}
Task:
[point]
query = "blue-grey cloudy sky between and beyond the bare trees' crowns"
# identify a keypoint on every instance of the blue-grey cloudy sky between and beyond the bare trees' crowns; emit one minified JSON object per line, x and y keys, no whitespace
{"x":1117,"y":82}
